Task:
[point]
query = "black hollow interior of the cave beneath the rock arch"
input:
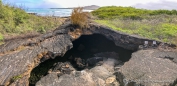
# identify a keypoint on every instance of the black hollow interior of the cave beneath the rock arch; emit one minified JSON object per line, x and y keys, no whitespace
{"x":97,"y":43}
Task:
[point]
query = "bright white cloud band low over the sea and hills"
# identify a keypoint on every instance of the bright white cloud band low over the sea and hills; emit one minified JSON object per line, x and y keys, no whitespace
{"x":74,"y":3}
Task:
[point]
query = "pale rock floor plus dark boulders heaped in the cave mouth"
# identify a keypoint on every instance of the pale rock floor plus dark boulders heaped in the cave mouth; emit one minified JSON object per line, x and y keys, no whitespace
{"x":63,"y":74}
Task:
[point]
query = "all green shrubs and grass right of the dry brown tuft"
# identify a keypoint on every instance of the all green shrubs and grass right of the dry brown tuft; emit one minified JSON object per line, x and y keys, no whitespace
{"x":154,"y":24}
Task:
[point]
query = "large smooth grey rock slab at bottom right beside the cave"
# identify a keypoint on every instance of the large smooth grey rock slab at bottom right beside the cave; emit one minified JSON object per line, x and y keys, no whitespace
{"x":149,"y":68}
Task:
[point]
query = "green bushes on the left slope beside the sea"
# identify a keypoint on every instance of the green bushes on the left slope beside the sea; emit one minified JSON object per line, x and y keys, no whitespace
{"x":14,"y":20}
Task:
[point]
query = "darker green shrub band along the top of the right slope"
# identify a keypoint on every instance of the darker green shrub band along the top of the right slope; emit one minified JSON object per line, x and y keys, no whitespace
{"x":112,"y":12}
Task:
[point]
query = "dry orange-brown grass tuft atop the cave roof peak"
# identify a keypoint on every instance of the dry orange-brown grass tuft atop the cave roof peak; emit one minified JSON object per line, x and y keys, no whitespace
{"x":80,"y":18}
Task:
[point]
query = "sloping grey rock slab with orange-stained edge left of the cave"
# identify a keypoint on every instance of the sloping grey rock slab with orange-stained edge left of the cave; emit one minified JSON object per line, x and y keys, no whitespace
{"x":19,"y":57}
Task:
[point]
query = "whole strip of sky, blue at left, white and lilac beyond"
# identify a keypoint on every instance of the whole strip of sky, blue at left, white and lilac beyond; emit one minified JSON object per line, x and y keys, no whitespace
{"x":146,"y":4}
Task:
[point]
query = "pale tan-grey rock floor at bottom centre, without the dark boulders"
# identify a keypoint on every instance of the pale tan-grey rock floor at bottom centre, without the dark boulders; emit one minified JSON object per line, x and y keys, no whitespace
{"x":97,"y":76}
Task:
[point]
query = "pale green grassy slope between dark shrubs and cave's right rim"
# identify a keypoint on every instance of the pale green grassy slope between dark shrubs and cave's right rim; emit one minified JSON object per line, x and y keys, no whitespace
{"x":153,"y":29}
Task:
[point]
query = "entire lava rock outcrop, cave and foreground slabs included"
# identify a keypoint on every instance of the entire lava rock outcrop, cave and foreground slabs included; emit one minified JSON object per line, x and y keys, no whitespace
{"x":147,"y":66}
